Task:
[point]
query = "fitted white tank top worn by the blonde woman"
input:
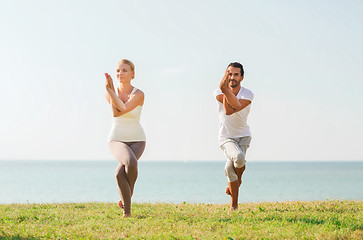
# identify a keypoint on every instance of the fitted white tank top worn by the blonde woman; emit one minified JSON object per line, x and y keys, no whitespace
{"x":127,"y":127}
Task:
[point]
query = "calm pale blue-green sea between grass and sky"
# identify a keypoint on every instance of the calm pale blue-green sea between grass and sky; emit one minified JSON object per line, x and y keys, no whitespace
{"x":178,"y":182}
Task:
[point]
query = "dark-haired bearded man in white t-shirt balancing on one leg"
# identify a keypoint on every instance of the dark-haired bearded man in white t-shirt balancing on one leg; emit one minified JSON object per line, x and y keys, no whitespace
{"x":234,"y":102}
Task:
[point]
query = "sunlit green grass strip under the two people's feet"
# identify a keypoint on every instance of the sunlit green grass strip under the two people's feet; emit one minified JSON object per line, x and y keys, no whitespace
{"x":281,"y":220}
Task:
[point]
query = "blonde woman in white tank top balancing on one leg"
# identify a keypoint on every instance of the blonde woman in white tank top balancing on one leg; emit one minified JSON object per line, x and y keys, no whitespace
{"x":127,"y":138}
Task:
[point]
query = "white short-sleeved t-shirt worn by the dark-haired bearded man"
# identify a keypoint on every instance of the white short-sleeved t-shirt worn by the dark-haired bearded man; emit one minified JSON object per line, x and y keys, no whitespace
{"x":234,"y":125}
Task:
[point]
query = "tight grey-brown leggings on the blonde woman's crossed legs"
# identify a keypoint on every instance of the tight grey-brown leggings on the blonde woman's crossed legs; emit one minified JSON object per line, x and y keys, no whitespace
{"x":127,"y":154}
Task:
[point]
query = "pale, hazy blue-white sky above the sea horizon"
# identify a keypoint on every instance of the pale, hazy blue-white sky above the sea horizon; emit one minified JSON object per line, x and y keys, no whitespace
{"x":302,"y":60}
